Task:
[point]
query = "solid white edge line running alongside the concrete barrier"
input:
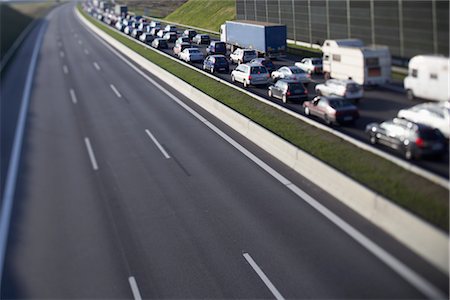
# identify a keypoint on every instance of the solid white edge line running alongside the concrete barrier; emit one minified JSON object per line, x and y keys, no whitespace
{"x":415,"y":279}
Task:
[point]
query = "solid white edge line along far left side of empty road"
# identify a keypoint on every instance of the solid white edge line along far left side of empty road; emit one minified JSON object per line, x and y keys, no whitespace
{"x":14,"y":162}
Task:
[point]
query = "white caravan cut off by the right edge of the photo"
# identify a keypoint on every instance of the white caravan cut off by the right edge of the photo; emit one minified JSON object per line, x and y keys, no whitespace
{"x":428,"y":78}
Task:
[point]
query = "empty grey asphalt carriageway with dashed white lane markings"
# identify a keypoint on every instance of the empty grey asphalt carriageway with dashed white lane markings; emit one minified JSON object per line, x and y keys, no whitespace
{"x":123,"y":193}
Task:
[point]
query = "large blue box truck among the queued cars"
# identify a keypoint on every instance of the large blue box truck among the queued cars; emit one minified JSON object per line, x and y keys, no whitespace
{"x":267,"y":39}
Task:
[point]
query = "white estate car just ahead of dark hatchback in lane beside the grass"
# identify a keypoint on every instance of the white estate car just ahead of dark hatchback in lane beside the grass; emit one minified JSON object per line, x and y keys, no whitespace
{"x":250,"y":74}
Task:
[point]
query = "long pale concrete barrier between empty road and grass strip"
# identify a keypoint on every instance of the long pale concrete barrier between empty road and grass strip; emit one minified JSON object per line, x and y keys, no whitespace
{"x":421,"y":237}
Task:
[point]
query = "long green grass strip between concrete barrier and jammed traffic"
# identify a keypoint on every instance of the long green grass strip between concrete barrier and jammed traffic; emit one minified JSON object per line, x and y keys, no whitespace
{"x":408,"y":190}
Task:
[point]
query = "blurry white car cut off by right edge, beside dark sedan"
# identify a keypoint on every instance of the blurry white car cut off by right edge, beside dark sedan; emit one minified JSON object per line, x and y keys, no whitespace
{"x":436,"y":115}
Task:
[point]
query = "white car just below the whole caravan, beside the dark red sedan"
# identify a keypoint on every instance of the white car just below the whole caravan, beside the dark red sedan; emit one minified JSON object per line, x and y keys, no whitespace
{"x":347,"y":89}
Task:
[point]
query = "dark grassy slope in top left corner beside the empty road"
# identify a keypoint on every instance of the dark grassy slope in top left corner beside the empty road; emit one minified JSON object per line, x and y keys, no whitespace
{"x":14,"y":18}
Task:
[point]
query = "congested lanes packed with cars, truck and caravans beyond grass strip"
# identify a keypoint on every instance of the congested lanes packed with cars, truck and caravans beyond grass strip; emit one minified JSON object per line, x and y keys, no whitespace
{"x":348,"y":87}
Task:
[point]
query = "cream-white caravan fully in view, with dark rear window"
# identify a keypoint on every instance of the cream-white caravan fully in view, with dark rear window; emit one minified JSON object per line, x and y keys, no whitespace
{"x":350,"y":59}
